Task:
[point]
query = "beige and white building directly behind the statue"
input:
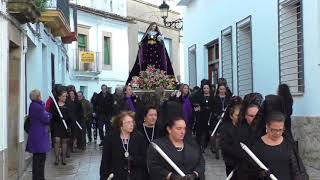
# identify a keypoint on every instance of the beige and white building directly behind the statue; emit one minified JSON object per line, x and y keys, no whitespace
{"x":143,"y":13}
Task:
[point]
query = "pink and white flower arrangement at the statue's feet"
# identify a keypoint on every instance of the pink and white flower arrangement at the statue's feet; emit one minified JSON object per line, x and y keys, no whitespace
{"x":152,"y":78}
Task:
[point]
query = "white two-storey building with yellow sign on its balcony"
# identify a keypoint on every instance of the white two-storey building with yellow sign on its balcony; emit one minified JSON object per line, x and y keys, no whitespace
{"x":101,"y":53}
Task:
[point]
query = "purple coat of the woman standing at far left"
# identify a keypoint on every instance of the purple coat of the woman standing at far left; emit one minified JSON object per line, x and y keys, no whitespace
{"x":38,"y":137}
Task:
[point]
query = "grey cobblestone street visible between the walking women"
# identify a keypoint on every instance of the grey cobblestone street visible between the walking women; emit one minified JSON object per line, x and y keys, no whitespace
{"x":85,"y":166}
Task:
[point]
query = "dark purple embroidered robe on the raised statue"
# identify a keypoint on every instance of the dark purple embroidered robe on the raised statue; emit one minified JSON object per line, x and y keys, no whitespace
{"x":151,"y":52}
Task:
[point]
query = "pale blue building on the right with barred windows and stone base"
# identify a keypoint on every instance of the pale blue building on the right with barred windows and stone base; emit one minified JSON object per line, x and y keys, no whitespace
{"x":256,"y":46}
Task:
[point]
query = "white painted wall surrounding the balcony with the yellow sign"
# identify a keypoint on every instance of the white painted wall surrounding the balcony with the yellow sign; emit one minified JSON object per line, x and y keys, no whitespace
{"x":119,"y":51}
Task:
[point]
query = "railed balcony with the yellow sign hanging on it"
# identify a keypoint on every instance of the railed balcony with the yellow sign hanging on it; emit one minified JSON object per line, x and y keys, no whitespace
{"x":86,"y":64}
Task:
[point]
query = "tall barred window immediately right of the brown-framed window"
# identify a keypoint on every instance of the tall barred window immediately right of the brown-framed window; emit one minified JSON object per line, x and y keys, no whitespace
{"x":226,"y":56}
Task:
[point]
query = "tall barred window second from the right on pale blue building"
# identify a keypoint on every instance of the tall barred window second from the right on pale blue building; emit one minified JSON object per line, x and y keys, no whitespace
{"x":244,"y":57}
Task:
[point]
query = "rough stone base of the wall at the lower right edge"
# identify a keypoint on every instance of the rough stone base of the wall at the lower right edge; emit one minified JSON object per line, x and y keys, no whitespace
{"x":307,"y":131}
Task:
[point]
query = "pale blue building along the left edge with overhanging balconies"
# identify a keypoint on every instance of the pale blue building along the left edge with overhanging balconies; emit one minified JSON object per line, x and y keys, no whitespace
{"x":32,"y":57}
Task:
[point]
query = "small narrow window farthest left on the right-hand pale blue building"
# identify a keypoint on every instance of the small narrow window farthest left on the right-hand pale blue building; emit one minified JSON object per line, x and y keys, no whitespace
{"x":192,"y":65}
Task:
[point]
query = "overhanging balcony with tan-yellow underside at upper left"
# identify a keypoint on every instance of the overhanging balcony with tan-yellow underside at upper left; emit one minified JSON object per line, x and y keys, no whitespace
{"x":56,"y":16}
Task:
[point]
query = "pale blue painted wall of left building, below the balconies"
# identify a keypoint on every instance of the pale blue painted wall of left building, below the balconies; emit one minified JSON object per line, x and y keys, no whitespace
{"x":38,"y":59}
